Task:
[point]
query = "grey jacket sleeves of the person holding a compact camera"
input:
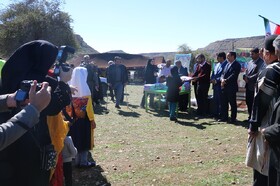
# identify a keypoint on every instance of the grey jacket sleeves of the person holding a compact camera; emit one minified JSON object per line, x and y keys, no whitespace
{"x":11,"y":130}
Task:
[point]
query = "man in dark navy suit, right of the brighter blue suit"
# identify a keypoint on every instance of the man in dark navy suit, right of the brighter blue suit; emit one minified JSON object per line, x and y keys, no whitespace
{"x":229,"y":87}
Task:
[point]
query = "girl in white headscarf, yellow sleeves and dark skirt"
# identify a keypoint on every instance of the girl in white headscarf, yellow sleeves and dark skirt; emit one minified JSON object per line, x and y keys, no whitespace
{"x":83,"y":129}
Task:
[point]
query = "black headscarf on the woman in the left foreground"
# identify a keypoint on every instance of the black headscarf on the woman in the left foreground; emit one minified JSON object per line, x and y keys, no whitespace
{"x":31,"y":61}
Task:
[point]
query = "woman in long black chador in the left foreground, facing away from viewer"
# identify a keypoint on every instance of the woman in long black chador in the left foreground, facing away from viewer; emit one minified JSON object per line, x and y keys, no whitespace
{"x":30,"y":159}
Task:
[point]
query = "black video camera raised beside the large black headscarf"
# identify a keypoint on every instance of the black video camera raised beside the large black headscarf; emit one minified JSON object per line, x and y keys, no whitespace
{"x":61,"y":59}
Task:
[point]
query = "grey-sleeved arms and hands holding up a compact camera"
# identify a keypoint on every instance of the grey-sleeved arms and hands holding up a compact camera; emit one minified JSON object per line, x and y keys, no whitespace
{"x":20,"y":123}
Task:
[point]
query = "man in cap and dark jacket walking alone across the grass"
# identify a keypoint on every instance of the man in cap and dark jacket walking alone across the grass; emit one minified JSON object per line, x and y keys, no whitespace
{"x":117,"y":78}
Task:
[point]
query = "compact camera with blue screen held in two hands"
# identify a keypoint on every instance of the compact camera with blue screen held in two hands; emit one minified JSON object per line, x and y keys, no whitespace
{"x":23,"y":93}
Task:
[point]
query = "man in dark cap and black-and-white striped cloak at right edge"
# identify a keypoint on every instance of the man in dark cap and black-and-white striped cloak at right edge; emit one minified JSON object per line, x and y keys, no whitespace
{"x":266,"y":94}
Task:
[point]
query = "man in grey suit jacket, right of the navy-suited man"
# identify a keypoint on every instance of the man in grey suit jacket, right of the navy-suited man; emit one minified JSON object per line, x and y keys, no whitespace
{"x":250,"y":77}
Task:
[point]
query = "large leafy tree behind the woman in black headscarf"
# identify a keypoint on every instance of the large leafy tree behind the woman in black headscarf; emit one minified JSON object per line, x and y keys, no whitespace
{"x":28,"y":20}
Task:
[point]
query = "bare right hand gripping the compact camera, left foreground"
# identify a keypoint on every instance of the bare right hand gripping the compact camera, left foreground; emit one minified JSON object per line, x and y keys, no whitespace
{"x":42,"y":98}
